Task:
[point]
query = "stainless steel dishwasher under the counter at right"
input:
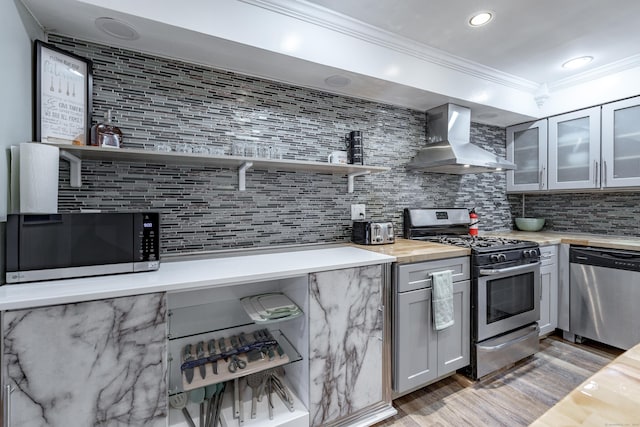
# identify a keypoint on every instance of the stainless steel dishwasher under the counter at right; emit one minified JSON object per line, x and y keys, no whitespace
{"x":605,"y":295}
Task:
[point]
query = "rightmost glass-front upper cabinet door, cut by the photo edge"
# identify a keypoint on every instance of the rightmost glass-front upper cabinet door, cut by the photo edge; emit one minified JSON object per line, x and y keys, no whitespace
{"x":621,"y":143}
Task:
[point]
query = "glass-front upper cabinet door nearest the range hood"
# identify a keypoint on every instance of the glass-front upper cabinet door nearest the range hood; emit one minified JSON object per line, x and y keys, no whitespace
{"x":527,"y":148}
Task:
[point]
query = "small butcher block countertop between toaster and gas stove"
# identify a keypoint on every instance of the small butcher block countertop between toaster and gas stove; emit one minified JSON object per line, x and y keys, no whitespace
{"x":407,"y":251}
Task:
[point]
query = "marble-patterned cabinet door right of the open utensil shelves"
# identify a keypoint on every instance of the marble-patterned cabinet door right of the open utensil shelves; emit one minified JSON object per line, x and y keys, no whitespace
{"x":346,"y":358}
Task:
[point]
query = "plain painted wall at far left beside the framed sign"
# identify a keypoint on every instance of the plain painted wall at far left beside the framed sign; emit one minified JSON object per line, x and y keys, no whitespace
{"x":17,"y":29}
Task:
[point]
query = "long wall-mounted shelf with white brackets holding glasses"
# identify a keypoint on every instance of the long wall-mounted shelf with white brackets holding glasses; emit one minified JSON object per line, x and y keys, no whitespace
{"x":75,"y":154}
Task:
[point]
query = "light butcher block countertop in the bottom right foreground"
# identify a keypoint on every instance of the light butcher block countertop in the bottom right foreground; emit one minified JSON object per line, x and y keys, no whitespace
{"x":611,"y":397}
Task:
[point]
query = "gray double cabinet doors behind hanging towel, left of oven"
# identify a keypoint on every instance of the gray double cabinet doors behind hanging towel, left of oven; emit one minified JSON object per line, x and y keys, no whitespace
{"x":426,"y":354}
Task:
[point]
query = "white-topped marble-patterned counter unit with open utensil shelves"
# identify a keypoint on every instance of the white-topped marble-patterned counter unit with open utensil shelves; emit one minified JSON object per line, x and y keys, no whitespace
{"x":113,"y":348}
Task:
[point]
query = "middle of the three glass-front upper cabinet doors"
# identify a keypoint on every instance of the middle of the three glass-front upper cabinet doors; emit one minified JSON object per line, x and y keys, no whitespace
{"x":574,"y":150}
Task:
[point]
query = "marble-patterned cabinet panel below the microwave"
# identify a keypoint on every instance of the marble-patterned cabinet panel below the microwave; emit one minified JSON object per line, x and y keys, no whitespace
{"x":91,"y":363}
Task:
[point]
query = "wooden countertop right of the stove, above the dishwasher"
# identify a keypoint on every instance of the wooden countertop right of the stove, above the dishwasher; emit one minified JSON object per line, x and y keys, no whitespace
{"x":553,"y":238}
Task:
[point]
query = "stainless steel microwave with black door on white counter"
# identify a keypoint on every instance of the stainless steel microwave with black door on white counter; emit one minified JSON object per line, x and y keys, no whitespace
{"x":59,"y":246}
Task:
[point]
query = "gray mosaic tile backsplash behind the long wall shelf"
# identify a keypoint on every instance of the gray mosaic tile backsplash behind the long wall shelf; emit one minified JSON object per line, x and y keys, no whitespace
{"x":159,"y":101}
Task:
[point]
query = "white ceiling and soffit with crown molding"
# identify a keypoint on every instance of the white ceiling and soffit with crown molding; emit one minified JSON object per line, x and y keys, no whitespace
{"x":414,"y":53}
